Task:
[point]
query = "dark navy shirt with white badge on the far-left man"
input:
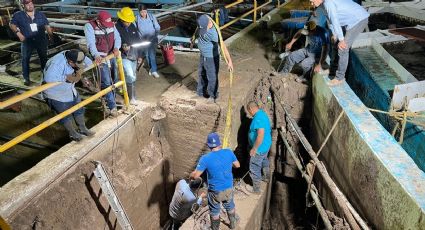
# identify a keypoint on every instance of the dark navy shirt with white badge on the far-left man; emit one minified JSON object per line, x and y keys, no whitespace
{"x":23,"y":21}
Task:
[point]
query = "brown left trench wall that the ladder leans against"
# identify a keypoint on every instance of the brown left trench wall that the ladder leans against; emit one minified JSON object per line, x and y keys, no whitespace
{"x":60,"y":192}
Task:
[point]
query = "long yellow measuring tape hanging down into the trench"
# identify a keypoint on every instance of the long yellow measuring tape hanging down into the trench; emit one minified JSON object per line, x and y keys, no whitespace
{"x":228,"y":127}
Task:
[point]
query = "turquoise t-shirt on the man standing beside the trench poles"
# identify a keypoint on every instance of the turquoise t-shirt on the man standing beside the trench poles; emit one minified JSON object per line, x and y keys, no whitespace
{"x":260,"y":120}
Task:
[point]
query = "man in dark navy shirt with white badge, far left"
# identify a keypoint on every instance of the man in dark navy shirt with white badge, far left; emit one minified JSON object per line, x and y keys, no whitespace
{"x":30,"y":27}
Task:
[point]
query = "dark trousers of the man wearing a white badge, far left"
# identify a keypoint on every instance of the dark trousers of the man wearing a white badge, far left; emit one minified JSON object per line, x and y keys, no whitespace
{"x":27,"y":47}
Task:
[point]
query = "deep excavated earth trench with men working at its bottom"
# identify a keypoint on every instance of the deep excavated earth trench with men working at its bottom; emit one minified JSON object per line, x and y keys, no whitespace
{"x":146,"y":152}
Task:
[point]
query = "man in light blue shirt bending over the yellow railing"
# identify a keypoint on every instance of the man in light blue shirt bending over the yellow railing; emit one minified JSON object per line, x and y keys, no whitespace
{"x":67,"y":67}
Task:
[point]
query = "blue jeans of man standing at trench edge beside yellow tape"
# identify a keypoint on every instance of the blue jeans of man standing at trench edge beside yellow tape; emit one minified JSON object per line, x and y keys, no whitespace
{"x":208,"y":76}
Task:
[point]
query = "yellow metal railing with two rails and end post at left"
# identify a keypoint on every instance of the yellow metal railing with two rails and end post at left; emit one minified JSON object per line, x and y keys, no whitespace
{"x":58,"y":117}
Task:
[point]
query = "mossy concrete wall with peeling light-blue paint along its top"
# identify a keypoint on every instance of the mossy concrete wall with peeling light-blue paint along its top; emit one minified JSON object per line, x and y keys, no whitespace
{"x":374,"y":172}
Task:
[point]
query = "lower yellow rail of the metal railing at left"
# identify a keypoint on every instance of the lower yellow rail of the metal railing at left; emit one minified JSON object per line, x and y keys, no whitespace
{"x":56,"y":118}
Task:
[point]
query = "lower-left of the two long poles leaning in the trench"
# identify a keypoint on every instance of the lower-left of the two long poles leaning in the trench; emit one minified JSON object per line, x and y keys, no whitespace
{"x":307,"y":178}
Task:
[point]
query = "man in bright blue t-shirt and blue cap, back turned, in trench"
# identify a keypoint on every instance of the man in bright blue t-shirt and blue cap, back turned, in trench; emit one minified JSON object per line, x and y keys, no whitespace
{"x":218,"y":166}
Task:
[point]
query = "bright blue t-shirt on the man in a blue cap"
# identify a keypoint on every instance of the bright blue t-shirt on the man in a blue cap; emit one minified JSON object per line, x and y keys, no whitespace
{"x":218,"y":165}
